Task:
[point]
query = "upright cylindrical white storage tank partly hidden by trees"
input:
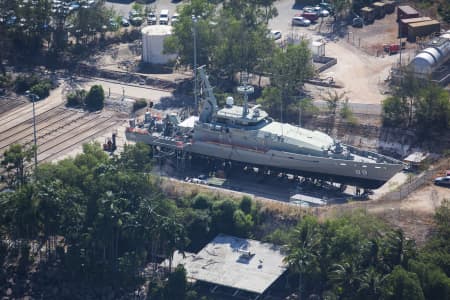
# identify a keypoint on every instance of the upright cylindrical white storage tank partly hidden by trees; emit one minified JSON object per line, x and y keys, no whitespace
{"x":153,"y":44}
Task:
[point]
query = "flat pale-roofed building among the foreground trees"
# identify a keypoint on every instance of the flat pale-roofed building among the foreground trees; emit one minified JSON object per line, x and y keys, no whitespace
{"x":244,"y":265}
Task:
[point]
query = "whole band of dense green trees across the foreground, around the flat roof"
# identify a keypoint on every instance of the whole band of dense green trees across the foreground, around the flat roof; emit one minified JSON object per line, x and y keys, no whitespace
{"x":103,"y":219}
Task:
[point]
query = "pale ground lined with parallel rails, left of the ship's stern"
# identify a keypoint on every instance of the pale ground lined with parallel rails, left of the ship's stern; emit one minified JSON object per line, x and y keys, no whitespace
{"x":59,"y":130}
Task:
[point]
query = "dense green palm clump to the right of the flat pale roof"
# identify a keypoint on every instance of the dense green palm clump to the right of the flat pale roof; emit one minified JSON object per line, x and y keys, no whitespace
{"x":358,"y":257}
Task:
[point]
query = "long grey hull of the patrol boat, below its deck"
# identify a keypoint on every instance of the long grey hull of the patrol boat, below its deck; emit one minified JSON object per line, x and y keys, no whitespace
{"x":363,"y":174}
